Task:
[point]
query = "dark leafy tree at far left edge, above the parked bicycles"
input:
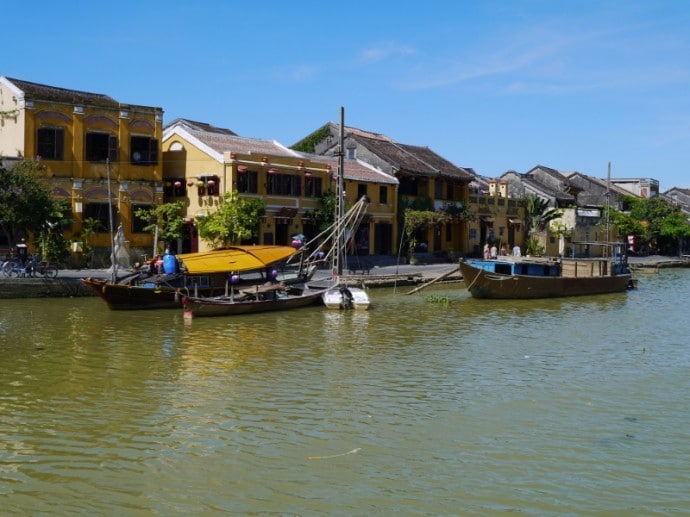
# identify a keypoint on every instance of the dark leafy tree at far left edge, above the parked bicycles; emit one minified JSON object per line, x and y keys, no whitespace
{"x":26,"y":201}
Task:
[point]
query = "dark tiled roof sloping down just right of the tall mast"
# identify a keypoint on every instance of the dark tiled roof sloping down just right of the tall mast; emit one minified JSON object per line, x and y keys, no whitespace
{"x":412,"y":159}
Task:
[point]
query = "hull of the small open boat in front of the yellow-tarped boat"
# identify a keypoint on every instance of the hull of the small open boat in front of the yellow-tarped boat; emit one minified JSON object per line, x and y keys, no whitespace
{"x":221,"y":306}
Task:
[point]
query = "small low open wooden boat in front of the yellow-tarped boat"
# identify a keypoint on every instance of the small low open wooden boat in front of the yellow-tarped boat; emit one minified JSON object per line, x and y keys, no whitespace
{"x":264,"y":298}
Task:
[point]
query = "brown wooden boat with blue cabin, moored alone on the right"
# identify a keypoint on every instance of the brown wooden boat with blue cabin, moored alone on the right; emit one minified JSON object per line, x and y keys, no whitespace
{"x":526,"y":278}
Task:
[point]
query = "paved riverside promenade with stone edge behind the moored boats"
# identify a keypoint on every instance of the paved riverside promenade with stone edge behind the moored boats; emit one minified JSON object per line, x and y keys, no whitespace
{"x":381,"y":272}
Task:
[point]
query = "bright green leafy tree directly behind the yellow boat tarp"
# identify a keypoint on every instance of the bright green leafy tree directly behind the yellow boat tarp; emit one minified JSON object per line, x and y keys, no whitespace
{"x":235,"y":220}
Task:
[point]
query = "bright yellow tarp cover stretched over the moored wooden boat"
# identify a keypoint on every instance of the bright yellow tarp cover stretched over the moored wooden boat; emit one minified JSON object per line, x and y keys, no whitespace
{"x":235,"y":258}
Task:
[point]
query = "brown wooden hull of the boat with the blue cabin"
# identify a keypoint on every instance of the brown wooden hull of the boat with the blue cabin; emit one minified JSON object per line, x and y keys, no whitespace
{"x":485,"y":284}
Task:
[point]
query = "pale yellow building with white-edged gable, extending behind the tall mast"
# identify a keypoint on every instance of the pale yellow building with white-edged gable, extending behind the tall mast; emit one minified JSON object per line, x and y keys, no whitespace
{"x":202,"y":162}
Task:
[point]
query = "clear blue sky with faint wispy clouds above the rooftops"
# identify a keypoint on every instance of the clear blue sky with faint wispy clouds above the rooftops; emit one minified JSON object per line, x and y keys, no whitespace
{"x":491,"y":85}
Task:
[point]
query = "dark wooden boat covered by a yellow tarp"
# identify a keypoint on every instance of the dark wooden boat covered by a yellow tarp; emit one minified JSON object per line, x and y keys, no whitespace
{"x":202,"y":274}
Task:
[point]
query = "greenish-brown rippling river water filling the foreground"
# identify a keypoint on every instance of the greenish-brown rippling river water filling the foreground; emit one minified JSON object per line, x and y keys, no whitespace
{"x":428,"y":404}
